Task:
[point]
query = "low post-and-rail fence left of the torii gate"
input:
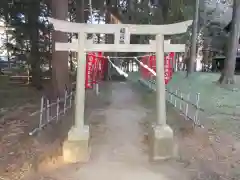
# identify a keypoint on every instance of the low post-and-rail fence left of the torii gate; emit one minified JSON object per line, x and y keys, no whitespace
{"x":52,"y":110}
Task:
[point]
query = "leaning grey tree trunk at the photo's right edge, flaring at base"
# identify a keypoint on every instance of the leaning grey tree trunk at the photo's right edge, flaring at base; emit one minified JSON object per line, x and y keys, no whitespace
{"x":227,"y":76}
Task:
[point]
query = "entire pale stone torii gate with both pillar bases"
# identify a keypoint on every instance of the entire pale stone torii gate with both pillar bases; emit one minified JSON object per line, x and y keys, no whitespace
{"x":76,"y":147}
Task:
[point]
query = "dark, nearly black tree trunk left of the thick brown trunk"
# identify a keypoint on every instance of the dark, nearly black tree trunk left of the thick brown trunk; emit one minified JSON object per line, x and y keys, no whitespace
{"x":34,"y":11}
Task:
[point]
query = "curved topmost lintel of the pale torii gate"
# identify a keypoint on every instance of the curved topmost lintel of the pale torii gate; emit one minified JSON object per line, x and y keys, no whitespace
{"x":169,"y":29}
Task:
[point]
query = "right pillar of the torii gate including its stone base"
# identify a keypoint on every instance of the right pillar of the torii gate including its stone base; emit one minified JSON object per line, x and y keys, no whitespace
{"x":162,"y":145}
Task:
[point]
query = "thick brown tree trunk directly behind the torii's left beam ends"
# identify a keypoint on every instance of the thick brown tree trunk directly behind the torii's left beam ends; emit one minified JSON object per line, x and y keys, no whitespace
{"x":60,"y":74}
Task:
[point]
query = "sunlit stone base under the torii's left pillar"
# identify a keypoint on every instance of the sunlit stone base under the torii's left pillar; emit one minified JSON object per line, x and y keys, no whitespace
{"x":76,"y":147}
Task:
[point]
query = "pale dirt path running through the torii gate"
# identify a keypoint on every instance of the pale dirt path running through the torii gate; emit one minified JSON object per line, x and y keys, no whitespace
{"x":118,"y":142}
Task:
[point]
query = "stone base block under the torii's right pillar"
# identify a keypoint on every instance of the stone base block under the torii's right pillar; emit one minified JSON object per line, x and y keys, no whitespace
{"x":162,"y":145}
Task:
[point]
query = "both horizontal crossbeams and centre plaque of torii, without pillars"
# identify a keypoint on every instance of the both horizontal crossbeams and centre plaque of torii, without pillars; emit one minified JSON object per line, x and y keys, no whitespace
{"x":70,"y":27}
